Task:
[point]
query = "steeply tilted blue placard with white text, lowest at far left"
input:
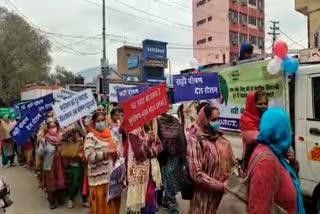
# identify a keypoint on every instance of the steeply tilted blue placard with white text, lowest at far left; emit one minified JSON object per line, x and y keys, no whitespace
{"x":27,"y":126}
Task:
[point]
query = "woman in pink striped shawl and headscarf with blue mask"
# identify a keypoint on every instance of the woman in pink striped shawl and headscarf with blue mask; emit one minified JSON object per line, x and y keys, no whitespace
{"x":210,"y":159}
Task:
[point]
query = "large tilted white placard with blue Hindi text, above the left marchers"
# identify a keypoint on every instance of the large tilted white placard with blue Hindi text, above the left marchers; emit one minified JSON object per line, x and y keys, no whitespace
{"x":72,"y":109}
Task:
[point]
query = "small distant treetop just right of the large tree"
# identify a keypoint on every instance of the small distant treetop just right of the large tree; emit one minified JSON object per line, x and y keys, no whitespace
{"x":61,"y":75}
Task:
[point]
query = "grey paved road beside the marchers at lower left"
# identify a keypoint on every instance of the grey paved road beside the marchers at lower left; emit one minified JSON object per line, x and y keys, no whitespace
{"x":29,"y":199}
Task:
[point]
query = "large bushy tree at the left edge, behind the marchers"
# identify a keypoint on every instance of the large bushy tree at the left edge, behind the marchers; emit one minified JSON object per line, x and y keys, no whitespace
{"x":24,"y":55}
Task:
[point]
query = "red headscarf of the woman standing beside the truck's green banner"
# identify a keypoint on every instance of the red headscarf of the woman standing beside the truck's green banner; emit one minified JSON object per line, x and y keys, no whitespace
{"x":251,"y":117}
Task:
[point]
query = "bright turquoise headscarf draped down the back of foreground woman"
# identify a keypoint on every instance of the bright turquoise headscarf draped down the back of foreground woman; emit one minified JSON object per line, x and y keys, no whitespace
{"x":275,"y":132}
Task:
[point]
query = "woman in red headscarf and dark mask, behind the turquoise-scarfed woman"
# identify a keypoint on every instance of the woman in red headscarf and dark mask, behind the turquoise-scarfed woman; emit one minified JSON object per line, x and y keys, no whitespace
{"x":256,"y":104}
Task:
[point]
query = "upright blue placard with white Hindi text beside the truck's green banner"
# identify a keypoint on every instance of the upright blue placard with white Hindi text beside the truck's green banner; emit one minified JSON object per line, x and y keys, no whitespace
{"x":201,"y":86}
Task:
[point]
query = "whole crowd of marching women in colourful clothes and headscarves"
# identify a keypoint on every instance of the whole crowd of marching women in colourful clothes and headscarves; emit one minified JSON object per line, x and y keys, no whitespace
{"x":188,"y":154}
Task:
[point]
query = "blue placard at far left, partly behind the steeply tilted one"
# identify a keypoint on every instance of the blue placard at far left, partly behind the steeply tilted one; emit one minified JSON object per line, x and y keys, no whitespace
{"x":43,"y":104}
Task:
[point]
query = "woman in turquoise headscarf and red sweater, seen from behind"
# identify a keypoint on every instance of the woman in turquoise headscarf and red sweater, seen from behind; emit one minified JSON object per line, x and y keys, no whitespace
{"x":272,"y":178}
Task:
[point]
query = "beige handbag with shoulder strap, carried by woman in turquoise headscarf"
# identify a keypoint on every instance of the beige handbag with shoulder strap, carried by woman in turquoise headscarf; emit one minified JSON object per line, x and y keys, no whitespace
{"x":235,"y":198}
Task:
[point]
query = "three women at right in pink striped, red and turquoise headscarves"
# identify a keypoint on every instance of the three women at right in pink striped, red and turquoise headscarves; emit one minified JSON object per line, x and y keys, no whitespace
{"x":273,"y":178}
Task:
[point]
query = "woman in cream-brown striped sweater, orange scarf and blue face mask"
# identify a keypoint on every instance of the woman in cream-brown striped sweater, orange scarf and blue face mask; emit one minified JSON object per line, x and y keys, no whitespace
{"x":100,"y":151}
